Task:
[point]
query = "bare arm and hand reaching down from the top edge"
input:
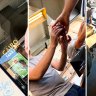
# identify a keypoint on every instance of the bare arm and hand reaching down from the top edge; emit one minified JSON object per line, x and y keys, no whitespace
{"x":64,"y":16}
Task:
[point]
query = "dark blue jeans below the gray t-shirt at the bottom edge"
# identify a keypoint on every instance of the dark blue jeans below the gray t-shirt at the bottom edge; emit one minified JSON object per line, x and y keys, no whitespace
{"x":76,"y":91}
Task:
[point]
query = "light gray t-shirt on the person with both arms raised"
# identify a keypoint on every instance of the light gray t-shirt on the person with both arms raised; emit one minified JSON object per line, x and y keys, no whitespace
{"x":51,"y":84}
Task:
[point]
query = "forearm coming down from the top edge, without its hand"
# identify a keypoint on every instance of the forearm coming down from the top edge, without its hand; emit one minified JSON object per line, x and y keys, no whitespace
{"x":68,"y":7}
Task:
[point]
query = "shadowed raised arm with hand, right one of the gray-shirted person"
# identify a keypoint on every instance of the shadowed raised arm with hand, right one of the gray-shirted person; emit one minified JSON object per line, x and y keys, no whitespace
{"x":60,"y":65}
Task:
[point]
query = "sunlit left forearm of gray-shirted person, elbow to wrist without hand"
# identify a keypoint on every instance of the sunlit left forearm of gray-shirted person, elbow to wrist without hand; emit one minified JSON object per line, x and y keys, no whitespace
{"x":43,"y":65}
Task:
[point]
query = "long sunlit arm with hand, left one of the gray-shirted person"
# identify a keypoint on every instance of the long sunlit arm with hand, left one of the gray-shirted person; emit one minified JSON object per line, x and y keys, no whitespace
{"x":39,"y":70}
